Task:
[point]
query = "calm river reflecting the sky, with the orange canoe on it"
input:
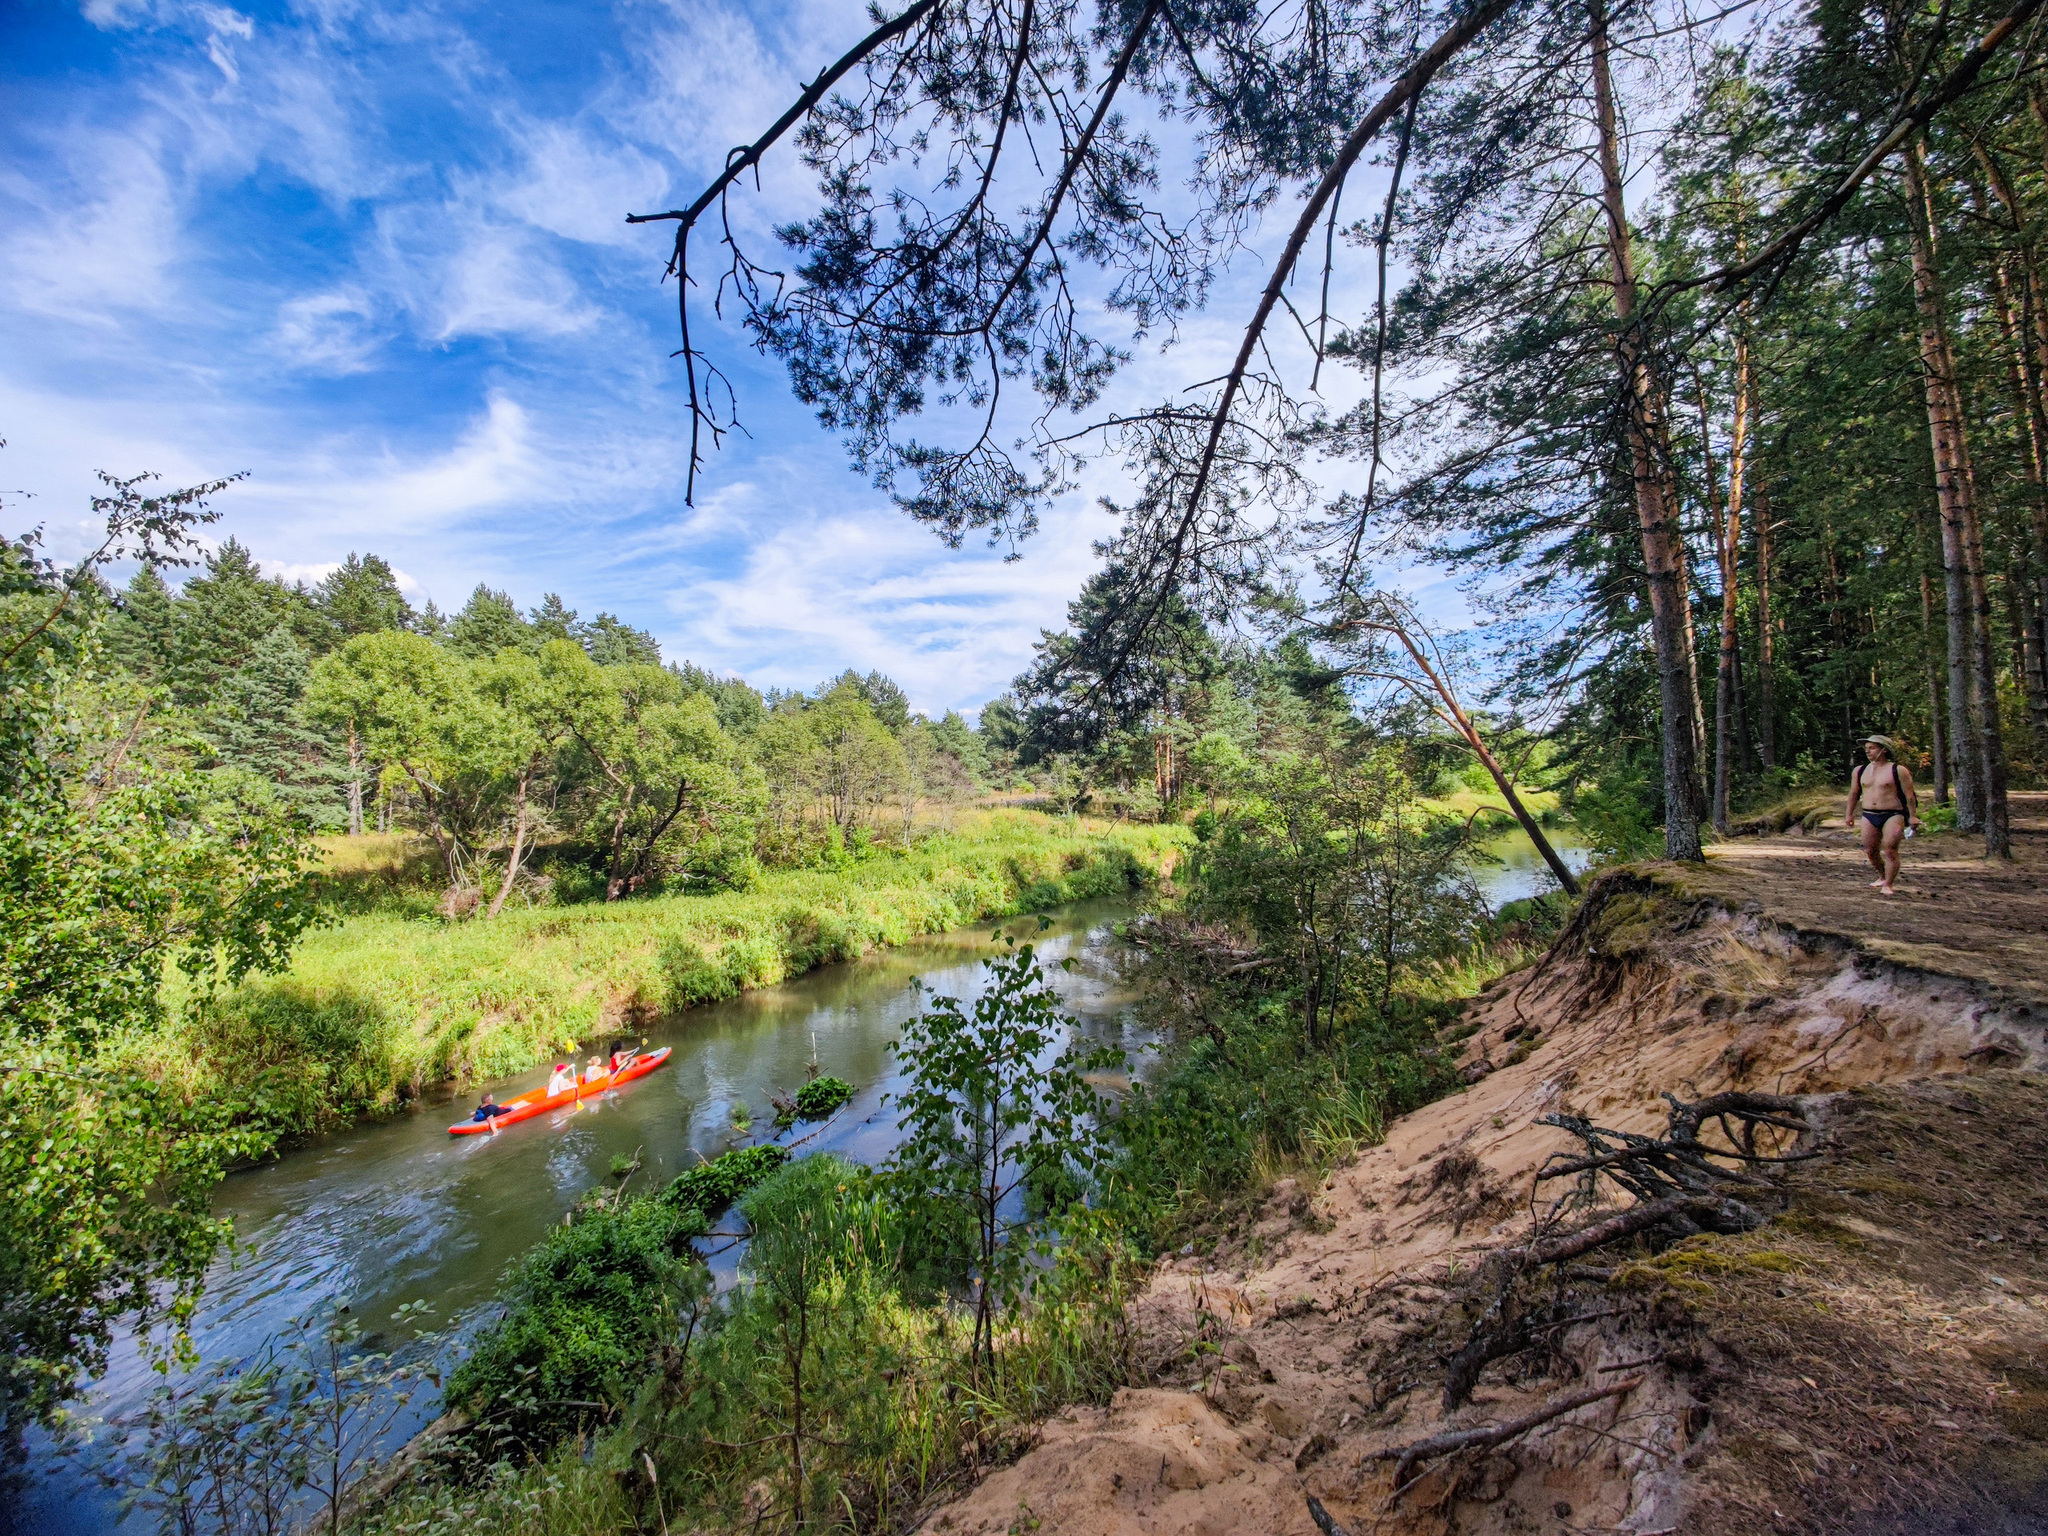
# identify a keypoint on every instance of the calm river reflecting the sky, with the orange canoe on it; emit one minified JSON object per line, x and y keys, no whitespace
{"x":396,"y":1211}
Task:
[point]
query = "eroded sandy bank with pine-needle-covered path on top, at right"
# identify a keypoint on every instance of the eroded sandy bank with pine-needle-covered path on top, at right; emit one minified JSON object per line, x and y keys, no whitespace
{"x":1875,"y":1361}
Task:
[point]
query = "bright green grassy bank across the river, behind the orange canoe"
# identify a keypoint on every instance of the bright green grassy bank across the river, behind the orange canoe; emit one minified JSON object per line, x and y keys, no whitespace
{"x":386,"y":1005}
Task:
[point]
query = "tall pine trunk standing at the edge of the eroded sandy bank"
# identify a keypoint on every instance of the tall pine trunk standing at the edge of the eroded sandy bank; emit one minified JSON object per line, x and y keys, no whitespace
{"x":1664,"y":554}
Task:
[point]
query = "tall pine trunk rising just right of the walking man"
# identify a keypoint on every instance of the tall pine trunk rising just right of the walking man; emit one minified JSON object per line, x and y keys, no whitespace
{"x":1973,"y":706}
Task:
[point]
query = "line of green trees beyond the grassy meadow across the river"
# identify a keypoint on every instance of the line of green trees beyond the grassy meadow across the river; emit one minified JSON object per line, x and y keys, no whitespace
{"x":495,"y":732}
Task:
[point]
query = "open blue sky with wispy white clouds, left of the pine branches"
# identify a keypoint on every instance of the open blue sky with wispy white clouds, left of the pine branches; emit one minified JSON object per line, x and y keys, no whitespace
{"x":376,"y":257}
